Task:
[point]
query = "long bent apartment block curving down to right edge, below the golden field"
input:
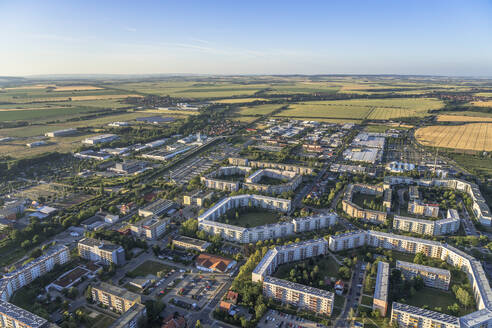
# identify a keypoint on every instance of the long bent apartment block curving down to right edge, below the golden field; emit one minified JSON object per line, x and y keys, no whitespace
{"x":480,"y":208}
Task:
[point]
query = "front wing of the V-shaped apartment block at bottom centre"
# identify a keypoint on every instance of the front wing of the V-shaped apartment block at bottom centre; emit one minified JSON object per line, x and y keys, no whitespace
{"x":304,"y":297}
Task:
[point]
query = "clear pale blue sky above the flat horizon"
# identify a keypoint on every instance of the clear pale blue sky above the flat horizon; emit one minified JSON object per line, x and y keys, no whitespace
{"x":246,"y":37}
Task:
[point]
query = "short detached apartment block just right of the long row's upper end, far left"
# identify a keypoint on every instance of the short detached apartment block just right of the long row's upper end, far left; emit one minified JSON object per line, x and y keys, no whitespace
{"x":101,"y":251}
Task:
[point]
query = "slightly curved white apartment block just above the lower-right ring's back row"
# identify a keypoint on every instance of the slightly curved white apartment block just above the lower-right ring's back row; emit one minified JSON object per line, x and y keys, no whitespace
{"x":426,"y":227}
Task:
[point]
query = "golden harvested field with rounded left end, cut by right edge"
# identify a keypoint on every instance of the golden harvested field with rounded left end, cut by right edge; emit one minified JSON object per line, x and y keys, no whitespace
{"x":473,"y":136}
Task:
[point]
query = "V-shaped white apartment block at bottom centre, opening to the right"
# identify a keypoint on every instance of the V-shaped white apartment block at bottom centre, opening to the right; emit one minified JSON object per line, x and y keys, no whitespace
{"x":312,"y":299}
